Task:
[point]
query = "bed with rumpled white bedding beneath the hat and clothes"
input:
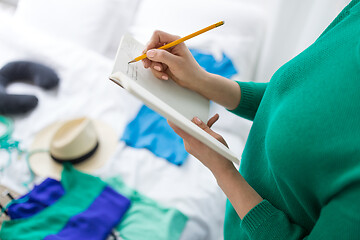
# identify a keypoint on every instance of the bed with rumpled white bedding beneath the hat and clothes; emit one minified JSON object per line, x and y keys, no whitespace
{"x":84,"y":60}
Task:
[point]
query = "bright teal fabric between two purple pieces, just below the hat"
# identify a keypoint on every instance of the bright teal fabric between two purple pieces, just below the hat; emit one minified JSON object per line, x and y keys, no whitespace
{"x":80,"y":188}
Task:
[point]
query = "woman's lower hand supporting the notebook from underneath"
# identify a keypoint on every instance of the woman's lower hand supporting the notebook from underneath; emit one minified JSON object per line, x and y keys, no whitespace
{"x":211,"y":159}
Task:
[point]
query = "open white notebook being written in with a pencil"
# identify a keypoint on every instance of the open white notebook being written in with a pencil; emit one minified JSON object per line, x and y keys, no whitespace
{"x":175,"y":103}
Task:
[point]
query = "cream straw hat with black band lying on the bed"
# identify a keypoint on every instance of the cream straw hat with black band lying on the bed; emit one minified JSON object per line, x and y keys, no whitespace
{"x":84,"y":142}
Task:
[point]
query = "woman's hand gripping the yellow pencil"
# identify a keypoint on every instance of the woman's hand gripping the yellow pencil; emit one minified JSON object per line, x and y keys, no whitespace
{"x":176,"y":62}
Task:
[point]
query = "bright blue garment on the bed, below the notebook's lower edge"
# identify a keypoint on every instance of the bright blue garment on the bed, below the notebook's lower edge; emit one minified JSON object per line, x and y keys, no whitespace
{"x":151,"y":131}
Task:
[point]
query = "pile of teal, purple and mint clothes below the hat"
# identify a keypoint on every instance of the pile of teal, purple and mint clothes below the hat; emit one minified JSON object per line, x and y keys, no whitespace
{"x":63,"y":210}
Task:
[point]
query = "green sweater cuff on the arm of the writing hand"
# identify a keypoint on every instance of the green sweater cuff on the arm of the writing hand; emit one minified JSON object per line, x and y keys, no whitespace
{"x":251,"y":95}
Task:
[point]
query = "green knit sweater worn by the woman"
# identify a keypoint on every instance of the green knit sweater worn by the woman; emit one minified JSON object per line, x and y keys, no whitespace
{"x":303,"y":151}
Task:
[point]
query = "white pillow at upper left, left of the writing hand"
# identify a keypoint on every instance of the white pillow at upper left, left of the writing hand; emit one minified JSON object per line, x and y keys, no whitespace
{"x":96,"y":24}
